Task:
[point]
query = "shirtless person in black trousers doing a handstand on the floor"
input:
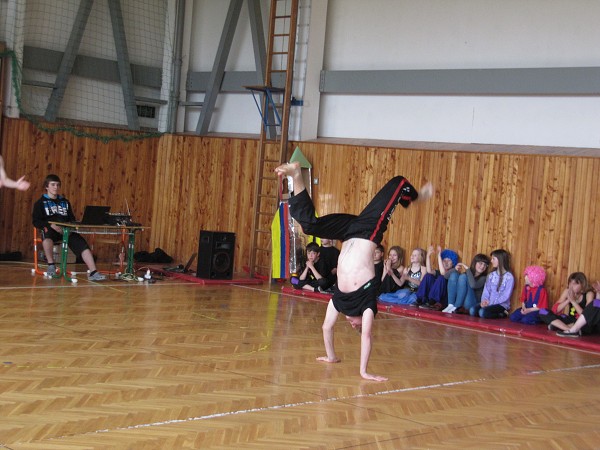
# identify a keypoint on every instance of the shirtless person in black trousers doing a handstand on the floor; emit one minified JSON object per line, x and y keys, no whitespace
{"x":355,"y":294}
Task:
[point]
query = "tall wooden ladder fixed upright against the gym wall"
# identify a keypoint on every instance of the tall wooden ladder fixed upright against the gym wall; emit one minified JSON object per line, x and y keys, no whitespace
{"x":276,"y":97}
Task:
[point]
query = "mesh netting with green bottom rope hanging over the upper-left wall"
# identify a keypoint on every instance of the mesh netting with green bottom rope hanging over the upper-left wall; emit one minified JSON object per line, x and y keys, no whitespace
{"x":93,"y":96}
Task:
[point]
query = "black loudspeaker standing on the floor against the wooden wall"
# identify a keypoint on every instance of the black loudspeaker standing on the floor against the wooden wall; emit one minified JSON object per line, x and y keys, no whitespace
{"x":215,"y":255}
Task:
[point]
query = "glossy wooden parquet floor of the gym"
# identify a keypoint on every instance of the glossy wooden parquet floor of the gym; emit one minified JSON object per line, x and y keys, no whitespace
{"x":180,"y":365}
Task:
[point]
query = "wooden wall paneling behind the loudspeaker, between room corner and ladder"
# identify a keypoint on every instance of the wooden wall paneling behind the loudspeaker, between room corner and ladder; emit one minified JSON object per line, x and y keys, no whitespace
{"x":209,"y":187}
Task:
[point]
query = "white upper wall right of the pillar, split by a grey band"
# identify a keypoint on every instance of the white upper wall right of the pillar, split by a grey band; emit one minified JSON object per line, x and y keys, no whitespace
{"x":440,"y":34}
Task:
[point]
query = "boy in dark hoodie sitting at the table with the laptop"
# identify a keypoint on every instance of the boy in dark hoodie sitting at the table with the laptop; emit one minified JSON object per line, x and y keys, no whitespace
{"x":52,"y":207}
